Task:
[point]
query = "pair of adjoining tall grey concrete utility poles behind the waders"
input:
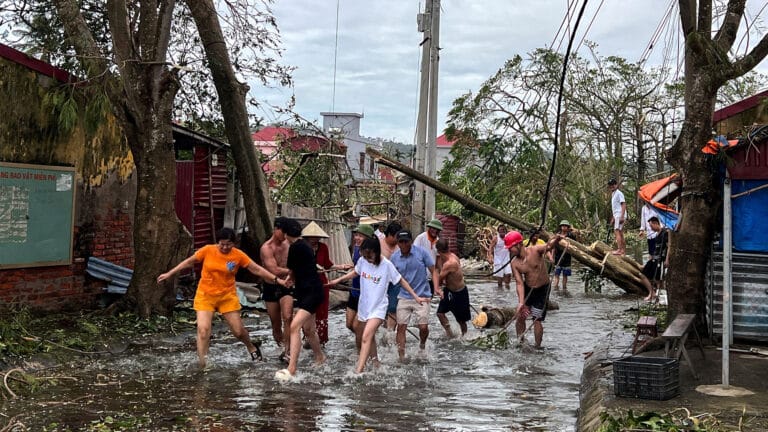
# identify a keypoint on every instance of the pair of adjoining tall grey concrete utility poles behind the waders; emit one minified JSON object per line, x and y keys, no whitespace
{"x":426,"y":123}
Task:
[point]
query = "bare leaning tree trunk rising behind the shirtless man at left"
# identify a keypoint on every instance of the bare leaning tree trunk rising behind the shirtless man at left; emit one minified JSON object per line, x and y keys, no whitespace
{"x":232,"y":93}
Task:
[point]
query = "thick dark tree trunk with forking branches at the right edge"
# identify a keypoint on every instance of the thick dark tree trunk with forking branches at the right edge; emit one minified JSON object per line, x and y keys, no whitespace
{"x":707,"y":68}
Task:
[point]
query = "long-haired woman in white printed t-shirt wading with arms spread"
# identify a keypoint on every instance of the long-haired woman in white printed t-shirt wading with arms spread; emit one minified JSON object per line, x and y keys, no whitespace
{"x":376,"y":273}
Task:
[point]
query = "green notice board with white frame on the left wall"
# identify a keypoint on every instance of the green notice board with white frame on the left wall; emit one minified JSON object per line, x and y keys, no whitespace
{"x":36,"y":215}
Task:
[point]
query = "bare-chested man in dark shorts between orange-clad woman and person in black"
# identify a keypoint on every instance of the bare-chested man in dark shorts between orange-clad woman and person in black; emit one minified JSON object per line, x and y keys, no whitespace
{"x":279,"y":301}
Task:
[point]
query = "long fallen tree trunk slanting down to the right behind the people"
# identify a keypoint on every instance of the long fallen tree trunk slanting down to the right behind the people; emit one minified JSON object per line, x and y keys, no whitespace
{"x":612,"y":267}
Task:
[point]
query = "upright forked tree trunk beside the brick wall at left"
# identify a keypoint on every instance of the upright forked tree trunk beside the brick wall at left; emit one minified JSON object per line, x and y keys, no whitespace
{"x":142,"y":99}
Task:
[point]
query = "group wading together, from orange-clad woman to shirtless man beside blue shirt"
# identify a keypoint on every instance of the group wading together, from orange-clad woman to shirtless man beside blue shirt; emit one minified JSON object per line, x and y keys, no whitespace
{"x":394,"y":278}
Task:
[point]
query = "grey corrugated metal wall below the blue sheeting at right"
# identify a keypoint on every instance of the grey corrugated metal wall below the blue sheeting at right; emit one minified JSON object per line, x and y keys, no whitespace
{"x":750,"y":295}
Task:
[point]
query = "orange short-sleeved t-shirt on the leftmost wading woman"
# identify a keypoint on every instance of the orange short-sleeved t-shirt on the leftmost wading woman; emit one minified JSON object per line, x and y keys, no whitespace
{"x":218,"y":274}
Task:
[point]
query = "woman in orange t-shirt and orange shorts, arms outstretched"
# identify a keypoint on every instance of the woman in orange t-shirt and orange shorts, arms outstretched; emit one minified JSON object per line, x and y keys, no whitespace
{"x":216,"y":290}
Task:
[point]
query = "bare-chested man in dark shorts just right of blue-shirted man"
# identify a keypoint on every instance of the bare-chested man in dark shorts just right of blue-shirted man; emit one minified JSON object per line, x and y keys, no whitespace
{"x":455,"y":296}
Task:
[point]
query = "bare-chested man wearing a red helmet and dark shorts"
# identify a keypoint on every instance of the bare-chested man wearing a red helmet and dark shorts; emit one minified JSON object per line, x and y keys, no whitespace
{"x":532,"y":281}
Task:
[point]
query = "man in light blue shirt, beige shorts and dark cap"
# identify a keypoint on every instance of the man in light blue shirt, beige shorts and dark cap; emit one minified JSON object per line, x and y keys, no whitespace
{"x":411,"y":261}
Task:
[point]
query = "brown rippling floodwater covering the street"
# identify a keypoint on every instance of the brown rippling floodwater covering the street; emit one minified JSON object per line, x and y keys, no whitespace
{"x":451,"y":386}
